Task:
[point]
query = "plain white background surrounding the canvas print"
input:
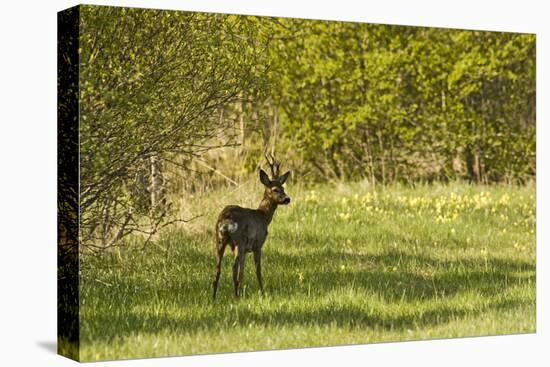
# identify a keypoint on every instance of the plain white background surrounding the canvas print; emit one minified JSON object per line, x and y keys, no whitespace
{"x":28,"y":182}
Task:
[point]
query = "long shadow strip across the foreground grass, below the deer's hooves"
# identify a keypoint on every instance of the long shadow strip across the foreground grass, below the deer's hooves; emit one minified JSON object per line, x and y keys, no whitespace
{"x":345,"y":316}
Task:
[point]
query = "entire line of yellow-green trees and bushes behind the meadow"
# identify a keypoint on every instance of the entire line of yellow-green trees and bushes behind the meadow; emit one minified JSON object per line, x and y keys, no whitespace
{"x":336,"y":100}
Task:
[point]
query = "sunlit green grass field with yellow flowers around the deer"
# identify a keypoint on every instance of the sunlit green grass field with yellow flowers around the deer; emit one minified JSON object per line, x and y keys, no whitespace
{"x":343,"y":264}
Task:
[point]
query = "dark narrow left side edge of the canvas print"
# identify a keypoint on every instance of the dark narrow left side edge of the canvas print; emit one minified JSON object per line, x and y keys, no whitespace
{"x":68,"y":196}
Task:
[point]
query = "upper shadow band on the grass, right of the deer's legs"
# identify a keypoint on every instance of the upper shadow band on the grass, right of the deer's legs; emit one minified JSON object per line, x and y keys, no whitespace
{"x":433,"y":278}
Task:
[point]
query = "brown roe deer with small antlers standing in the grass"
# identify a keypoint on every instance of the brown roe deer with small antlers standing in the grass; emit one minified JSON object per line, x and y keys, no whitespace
{"x":245,"y":229}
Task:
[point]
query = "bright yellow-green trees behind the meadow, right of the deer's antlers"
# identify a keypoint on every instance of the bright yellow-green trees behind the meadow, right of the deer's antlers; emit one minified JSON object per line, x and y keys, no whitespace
{"x":401,"y":103}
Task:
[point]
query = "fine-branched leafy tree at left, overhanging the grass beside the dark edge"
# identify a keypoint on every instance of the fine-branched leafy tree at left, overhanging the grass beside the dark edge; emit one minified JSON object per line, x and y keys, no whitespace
{"x":150,"y":84}
